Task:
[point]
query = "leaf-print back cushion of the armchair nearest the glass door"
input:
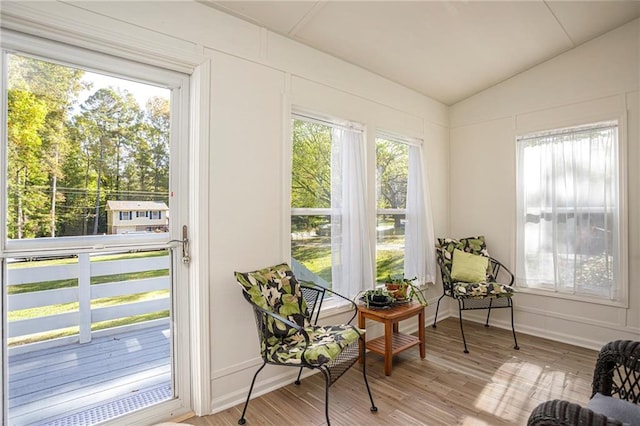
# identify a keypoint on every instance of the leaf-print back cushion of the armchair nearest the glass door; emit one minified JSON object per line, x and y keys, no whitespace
{"x":276,"y":289}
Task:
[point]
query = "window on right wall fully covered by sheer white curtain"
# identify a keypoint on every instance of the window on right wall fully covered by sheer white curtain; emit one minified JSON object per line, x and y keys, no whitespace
{"x":568,"y":224}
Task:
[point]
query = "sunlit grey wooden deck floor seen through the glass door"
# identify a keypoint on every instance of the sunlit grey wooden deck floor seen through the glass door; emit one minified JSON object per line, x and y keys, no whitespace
{"x":87,"y":383}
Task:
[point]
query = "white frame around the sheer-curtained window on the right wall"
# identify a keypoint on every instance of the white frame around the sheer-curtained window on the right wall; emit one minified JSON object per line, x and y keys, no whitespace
{"x":576,"y":122}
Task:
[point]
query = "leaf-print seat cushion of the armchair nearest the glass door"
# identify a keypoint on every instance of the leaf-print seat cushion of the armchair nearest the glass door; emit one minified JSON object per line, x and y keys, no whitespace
{"x":326,"y":343}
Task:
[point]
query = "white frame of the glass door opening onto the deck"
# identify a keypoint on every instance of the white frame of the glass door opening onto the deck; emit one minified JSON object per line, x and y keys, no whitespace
{"x":188,"y":76}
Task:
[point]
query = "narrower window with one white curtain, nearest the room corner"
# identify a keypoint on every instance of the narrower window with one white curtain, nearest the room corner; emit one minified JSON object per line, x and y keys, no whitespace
{"x":403,"y":222}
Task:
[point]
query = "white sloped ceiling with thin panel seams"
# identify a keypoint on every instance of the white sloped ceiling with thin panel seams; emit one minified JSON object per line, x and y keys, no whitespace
{"x":447,"y":50}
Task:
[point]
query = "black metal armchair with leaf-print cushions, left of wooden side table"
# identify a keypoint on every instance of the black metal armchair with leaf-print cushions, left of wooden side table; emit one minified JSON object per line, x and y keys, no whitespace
{"x":286,"y":314}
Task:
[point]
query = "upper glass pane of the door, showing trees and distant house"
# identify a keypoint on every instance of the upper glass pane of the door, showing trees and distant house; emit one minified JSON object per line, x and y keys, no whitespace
{"x":78,"y":142}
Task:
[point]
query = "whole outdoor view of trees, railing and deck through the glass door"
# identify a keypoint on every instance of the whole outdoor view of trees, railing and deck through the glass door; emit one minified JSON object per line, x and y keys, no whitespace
{"x":87,"y":156}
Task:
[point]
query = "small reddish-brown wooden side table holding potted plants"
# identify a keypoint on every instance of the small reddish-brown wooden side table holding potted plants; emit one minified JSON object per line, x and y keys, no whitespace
{"x":393,"y":342}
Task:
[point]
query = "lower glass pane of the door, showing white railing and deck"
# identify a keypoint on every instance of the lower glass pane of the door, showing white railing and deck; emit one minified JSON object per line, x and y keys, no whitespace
{"x":88,"y":336}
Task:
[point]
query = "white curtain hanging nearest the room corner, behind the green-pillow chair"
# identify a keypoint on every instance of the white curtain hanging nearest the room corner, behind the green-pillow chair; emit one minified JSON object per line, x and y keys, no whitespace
{"x":419,"y":256}
